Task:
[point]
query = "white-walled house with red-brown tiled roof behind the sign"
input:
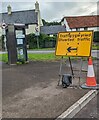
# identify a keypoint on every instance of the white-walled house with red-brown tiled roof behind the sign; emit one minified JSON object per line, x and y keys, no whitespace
{"x":76,"y":23}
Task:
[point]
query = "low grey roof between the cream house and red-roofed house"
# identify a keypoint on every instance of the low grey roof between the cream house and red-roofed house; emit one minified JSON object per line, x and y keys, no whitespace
{"x":52,"y":29}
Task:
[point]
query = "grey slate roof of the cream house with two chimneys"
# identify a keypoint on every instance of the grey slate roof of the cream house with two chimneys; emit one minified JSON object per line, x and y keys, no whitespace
{"x":23,"y":17}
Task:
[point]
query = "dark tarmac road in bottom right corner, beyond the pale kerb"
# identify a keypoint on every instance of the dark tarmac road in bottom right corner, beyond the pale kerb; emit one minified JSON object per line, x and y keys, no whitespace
{"x":91,"y":110}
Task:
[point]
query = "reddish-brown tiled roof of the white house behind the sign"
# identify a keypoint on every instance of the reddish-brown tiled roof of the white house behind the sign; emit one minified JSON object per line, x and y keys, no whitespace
{"x":83,"y":21}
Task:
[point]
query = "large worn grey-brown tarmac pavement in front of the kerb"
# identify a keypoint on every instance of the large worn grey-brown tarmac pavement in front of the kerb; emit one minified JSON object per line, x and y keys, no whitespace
{"x":31,"y":91}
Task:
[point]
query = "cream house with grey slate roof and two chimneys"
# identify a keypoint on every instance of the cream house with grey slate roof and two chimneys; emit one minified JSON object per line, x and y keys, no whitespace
{"x":31,"y":18}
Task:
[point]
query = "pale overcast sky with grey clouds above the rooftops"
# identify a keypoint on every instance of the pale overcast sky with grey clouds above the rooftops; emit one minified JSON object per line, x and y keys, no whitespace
{"x":54,"y":11}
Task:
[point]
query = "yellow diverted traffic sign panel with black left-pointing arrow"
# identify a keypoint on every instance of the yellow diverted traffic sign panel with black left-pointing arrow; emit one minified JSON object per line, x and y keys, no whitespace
{"x":74,"y":43}
